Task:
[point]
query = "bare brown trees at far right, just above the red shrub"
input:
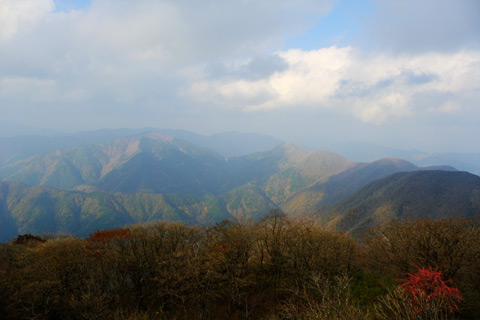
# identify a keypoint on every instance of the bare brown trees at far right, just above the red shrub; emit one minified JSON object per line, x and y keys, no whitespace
{"x":451,"y":245}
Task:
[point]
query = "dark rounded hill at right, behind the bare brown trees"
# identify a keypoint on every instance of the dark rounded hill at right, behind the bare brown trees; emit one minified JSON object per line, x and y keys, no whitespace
{"x":407,"y":195}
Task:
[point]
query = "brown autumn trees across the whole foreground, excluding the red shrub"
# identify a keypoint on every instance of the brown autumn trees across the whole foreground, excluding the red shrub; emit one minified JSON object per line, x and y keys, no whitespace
{"x":276,"y":268}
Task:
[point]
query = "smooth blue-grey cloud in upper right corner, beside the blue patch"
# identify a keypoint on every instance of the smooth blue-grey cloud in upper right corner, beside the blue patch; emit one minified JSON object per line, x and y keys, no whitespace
{"x":412,"y":26}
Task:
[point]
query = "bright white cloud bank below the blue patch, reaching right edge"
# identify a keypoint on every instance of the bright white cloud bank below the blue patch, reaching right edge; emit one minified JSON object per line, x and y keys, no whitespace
{"x":373,"y":87}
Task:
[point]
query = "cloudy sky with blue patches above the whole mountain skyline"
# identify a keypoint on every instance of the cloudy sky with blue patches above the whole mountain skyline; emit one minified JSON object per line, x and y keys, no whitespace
{"x":403,"y":74}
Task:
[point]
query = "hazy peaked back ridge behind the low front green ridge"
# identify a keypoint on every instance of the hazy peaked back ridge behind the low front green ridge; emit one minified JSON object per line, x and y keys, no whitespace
{"x":157,"y":163}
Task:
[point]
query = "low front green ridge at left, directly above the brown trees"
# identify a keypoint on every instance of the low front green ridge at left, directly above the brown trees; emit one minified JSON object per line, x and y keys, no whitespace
{"x":41,"y":209}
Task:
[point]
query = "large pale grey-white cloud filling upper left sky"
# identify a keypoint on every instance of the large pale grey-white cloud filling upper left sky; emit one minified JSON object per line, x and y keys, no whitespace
{"x":127,"y":51}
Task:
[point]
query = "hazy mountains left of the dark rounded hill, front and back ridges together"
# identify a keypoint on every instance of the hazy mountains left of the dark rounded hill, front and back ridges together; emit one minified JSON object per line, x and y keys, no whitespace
{"x":152,"y":176}
